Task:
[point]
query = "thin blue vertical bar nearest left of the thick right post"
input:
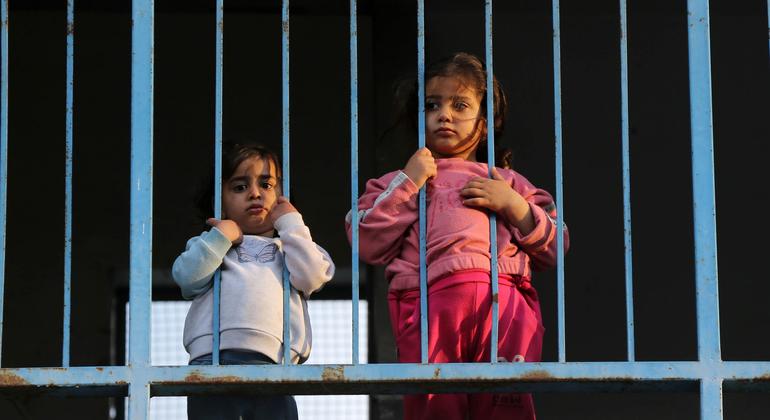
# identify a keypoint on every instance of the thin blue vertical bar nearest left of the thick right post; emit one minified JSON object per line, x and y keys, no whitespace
{"x":631,"y":347}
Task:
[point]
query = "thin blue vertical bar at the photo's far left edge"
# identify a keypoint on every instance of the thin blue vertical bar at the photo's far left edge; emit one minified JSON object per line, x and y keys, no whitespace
{"x":3,"y":153}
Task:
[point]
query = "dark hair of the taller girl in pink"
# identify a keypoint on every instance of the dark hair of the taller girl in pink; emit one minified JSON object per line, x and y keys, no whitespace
{"x":472,"y":73}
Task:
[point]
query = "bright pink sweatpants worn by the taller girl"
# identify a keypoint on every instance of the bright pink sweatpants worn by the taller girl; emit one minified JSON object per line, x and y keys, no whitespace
{"x":459,"y":330}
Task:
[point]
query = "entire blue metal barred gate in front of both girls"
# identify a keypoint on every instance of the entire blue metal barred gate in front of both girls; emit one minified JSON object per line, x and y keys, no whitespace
{"x":139,"y":379}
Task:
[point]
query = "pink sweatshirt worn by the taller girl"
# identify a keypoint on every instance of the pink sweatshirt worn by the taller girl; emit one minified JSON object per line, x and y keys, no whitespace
{"x":457,"y":235}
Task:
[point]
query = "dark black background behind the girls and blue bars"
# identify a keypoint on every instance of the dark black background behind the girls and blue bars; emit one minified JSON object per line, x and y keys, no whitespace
{"x":661,"y":177}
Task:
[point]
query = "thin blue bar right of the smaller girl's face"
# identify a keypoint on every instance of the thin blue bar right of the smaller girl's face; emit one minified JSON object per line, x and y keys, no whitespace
{"x":286,"y":168}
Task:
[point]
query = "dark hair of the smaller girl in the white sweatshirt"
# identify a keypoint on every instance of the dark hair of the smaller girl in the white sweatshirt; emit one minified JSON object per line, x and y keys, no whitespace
{"x":233,"y":154}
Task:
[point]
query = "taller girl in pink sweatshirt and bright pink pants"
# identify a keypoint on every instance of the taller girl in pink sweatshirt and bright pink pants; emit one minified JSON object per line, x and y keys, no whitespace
{"x":459,"y":197}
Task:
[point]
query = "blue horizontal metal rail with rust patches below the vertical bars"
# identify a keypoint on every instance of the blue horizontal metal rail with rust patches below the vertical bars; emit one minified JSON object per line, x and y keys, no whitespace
{"x":399,"y":378}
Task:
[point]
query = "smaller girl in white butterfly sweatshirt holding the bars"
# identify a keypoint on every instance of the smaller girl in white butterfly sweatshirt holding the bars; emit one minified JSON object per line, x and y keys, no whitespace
{"x":260,"y":232}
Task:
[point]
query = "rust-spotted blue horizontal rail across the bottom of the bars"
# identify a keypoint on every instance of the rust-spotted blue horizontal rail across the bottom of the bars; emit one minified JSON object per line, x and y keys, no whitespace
{"x":429,"y":375}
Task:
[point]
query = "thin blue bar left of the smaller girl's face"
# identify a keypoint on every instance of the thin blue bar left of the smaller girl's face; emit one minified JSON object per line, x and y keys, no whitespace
{"x":217,"y":170}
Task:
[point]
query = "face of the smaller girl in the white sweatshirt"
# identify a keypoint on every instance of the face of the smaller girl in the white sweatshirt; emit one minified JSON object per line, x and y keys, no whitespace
{"x":249,"y":196}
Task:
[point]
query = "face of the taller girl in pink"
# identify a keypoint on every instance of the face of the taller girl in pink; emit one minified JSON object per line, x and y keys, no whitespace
{"x":452,"y":123}
